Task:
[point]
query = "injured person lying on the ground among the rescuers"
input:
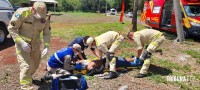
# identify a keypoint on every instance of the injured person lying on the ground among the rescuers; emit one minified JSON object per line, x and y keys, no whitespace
{"x":96,"y":66}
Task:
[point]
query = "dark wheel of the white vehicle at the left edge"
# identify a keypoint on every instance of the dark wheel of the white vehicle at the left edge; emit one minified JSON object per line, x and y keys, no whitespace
{"x":3,"y":35}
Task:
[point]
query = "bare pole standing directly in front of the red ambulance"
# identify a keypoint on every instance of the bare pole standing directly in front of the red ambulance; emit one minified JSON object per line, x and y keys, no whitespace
{"x":178,"y":17}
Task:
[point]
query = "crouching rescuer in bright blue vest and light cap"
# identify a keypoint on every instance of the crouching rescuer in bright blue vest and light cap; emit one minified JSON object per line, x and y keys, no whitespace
{"x":60,"y":64}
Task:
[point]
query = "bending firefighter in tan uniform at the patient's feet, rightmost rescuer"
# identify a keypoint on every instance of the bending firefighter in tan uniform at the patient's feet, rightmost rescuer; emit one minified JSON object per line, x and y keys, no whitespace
{"x":153,"y":39}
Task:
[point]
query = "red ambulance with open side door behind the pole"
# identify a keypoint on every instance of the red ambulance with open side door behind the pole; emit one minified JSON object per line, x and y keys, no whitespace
{"x":159,"y":14}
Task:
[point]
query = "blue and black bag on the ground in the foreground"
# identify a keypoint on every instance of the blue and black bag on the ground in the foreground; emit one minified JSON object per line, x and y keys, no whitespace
{"x":65,"y":83}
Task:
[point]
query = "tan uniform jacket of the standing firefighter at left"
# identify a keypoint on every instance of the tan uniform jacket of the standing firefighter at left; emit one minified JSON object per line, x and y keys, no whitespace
{"x":25,"y":27}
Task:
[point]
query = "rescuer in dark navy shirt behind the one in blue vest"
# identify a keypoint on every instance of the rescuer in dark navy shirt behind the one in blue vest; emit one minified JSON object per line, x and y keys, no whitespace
{"x":84,"y":42}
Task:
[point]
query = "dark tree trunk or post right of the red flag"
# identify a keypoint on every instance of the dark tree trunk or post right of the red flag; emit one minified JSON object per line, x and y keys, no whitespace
{"x":134,"y":18}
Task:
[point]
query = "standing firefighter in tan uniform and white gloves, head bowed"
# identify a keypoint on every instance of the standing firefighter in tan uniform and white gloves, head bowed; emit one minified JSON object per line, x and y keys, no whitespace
{"x":25,"y":28}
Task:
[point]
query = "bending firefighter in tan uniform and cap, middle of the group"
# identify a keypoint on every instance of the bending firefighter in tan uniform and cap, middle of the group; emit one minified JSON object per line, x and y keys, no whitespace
{"x":107,"y":43}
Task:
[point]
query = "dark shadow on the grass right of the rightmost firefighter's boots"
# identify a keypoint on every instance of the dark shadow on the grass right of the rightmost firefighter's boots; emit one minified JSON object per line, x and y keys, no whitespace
{"x":153,"y":69}
